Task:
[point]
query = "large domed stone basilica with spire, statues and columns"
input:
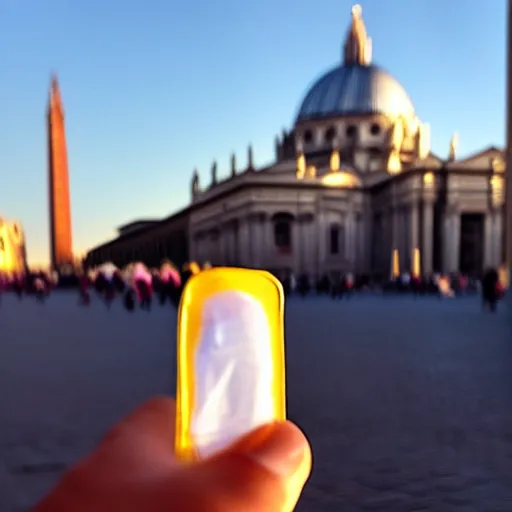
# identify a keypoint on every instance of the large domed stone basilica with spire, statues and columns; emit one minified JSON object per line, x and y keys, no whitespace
{"x":353,"y":182}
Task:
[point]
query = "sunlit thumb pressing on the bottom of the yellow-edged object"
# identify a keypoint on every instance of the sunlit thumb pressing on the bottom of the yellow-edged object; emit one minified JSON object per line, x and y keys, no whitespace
{"x":264,"y":471}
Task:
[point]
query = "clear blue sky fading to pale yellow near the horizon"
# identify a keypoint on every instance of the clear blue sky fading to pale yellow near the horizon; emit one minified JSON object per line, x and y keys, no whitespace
{"x":154,"y":89}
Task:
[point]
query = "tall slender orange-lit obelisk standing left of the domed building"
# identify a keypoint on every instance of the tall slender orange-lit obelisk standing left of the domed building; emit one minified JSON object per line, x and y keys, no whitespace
{"x":61,"y":249}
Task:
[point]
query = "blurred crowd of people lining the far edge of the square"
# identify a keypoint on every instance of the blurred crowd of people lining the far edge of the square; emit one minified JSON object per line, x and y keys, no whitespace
{"x":138,"y":285}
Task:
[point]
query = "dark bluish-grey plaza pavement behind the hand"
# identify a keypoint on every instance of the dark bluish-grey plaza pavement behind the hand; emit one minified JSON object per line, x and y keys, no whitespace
{"x":407,"y":403}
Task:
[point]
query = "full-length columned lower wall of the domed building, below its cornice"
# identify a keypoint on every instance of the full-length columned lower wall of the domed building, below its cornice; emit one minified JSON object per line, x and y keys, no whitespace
{"x":365,"y":240}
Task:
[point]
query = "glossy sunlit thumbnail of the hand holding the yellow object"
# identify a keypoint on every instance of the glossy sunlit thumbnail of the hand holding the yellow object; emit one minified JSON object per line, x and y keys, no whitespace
{"x":280,"y":449}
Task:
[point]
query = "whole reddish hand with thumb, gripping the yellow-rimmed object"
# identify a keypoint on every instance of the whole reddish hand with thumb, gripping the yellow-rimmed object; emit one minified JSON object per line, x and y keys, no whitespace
{"x":134,"y":469}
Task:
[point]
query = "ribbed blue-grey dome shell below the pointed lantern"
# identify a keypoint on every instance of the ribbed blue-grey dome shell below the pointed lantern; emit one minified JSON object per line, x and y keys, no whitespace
{"x":355,"y":90}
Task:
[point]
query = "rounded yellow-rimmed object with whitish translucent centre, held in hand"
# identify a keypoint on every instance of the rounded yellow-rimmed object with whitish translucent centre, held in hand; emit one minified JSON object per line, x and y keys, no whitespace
{"x":231,"y":366}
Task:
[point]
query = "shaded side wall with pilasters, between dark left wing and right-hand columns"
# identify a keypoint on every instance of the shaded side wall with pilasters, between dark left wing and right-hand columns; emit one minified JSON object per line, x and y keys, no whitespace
{"x":251,"y":241}
